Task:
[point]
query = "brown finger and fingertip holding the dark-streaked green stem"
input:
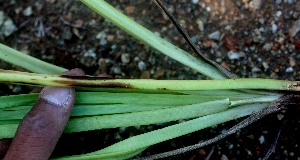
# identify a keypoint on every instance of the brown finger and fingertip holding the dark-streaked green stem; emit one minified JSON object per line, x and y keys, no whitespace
{"x":41,"y":128}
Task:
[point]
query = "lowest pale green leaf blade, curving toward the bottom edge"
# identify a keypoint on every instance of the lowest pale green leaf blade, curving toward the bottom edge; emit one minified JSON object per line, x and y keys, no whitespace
{"x":147,"y":139}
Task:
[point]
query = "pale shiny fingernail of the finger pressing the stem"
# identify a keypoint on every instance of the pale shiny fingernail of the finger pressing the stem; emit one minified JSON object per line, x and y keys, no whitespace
{"x":56,"y":95}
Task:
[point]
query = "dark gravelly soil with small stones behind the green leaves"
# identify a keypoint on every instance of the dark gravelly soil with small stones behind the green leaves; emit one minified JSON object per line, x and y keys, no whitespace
{"x":252,"y":38}
